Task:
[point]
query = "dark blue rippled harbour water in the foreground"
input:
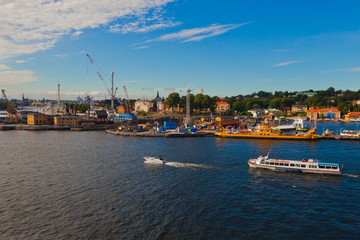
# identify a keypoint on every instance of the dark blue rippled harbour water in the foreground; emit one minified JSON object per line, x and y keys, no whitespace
{"x":91,"y":185}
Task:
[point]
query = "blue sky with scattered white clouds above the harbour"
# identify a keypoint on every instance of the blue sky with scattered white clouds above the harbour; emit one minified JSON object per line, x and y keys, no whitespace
{"x":226,"y":48}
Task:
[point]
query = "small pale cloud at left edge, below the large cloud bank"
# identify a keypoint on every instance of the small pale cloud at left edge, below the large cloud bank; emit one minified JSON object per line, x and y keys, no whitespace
{"x":10,"y":77}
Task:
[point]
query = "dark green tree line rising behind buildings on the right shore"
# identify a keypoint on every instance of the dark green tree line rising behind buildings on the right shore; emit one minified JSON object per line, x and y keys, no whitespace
{"x":330,"y":97}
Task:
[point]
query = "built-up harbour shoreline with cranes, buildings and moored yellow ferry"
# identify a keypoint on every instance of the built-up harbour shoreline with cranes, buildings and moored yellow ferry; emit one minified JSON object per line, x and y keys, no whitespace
{"x":169,"y":117}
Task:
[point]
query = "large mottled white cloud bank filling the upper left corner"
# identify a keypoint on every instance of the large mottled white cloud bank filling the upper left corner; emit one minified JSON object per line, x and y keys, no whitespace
{"x":31,"y":26}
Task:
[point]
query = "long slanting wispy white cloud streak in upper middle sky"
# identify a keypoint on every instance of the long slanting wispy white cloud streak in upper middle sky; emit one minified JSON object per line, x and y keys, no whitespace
{"x":198,"y":34}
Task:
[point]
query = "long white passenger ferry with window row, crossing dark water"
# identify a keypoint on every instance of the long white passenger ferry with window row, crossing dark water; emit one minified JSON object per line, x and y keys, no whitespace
{"x":304,"y":165}
